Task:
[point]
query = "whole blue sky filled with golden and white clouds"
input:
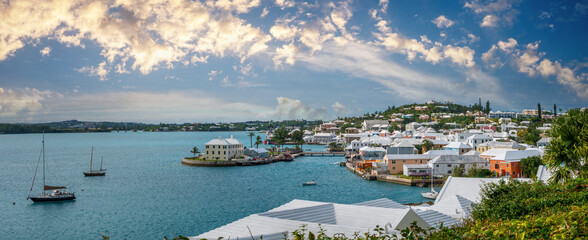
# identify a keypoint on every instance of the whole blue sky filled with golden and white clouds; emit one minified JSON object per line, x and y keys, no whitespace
{"x":175,"y":61}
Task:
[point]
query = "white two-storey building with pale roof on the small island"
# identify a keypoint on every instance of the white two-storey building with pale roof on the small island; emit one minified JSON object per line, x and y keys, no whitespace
{"x":223,"y":149}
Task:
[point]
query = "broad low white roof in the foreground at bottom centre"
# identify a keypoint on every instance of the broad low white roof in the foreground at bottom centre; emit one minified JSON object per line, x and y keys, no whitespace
{"x":333,"y":218}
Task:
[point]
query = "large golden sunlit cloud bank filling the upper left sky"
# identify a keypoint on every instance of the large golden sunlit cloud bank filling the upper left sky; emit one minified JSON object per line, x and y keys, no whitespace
{"x":149,"y":35}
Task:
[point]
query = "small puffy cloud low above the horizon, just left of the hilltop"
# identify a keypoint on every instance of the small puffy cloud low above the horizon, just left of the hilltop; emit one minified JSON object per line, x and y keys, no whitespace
{"x":294,"y":109}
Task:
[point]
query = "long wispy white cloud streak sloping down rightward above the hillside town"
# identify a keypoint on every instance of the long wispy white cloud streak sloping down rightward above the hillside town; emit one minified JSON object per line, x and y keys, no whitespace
{"x":367,"y":61}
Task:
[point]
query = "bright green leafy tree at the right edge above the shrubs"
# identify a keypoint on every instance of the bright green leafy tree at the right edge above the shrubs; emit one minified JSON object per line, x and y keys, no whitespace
{"x":567,"y":153}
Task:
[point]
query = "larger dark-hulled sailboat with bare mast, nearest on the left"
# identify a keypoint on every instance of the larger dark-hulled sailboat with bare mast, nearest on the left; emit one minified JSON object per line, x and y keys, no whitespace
{"x":58,"y":194}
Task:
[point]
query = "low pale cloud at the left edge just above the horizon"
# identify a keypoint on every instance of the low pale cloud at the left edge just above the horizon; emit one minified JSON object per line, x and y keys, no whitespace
{"x":27,"y":101}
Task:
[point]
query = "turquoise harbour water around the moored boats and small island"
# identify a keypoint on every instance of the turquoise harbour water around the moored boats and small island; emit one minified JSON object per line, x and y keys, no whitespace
{"x":147,"y":193}
